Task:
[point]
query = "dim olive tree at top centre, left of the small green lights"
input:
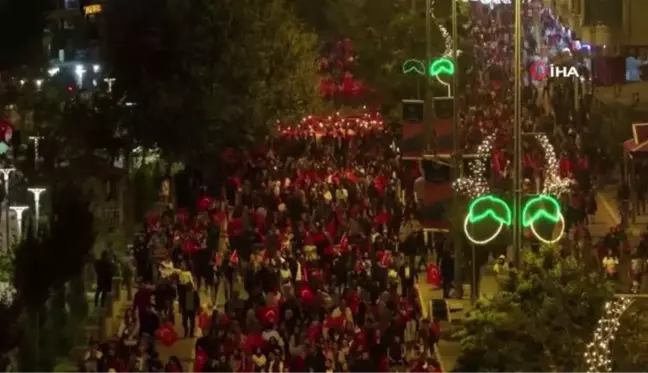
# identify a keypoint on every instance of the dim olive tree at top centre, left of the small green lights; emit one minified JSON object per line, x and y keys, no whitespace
{"x":384,"y":34}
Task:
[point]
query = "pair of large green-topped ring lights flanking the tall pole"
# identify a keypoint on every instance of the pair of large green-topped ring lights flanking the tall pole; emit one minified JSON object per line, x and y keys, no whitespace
{"x":489,"y":208}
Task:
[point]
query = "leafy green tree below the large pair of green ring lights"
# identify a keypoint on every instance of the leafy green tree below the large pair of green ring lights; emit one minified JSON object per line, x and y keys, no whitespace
{"x":541,"y":321}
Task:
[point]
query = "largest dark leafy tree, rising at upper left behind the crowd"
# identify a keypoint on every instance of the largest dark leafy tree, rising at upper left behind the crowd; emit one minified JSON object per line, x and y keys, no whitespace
{"x":204,"y":75}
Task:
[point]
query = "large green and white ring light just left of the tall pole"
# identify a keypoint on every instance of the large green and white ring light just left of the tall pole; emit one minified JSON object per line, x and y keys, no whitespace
{"x":489,"y":213}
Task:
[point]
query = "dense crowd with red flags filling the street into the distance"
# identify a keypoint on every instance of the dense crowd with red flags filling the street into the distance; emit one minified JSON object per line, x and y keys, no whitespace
{"x":300,"y":256}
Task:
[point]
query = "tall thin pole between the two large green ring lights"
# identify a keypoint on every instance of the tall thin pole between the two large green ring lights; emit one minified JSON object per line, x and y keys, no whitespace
{"x":517,"y":137}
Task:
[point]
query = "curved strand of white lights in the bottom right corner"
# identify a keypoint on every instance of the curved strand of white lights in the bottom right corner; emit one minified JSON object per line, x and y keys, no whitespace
{"x":597,"y":354}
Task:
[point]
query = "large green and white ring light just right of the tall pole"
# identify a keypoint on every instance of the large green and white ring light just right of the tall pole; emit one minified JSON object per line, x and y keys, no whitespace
{"x":552,"y":213}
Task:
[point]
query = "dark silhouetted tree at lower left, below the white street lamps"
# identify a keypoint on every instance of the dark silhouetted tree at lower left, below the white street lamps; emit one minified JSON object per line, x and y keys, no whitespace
{"x":46,"y":263}
